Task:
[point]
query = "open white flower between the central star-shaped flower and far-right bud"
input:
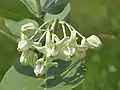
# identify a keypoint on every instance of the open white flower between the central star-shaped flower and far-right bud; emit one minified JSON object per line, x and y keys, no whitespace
{"x":73,"y":50}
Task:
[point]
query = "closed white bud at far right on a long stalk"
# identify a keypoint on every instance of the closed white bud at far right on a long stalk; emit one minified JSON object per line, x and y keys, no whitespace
{"x":93,"y":41}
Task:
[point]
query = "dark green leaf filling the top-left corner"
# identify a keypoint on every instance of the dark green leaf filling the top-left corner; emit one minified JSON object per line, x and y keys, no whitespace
{"x":15,"y":10}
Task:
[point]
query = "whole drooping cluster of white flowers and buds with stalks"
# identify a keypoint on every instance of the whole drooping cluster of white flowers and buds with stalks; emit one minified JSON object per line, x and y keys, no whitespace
{"x":54,"y":48}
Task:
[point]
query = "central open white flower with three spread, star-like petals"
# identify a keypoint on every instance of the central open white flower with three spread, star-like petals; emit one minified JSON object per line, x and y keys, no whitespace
{"x":51,"y":49}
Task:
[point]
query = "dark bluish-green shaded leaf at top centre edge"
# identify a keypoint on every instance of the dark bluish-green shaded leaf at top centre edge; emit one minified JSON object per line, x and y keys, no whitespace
{"x":53,"y":6}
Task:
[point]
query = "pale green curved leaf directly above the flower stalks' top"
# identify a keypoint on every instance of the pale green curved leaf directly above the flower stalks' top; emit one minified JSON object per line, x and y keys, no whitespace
{"x":64,"y":15}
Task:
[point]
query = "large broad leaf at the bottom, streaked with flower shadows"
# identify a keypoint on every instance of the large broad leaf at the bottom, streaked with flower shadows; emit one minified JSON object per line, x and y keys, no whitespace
{"x":23,"y":78}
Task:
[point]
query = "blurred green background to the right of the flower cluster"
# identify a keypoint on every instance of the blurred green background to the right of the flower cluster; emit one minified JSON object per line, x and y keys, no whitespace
{"x":100,"y":17}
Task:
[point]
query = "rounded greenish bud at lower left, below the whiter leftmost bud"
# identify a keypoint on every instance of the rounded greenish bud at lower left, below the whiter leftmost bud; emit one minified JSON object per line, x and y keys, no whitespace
{"x":28,"y":57}
